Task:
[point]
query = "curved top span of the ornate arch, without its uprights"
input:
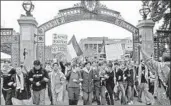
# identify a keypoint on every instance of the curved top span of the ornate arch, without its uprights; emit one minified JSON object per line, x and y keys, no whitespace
{"x":80,"y":12}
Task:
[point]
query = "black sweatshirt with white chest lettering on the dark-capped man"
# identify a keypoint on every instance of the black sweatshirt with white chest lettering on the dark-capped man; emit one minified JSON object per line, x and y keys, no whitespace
{"x":38,"y":76}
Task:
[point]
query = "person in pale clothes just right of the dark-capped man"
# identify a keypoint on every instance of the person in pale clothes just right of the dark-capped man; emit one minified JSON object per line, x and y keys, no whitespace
{"x":57,"y":79}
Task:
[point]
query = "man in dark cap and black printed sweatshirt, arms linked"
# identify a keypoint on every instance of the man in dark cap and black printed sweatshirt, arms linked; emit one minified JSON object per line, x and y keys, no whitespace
{"x":38,"y":77}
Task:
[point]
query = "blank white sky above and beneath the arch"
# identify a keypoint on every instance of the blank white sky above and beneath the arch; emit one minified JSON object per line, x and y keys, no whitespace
{"x":47,"y":10}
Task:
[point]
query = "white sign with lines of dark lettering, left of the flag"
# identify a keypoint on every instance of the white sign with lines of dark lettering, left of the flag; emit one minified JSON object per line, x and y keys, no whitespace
{"x":59,"y":43}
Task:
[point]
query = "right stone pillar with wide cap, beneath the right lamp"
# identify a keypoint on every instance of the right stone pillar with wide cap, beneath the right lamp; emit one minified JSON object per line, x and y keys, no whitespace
{"x":146,"y":32}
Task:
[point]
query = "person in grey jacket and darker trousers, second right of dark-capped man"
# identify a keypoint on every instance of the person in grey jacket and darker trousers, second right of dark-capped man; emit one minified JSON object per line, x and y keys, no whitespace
{"x":73,"y":87}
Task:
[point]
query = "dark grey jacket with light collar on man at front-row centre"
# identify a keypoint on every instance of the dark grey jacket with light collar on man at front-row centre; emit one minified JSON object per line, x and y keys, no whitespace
{"x":87,"y":83}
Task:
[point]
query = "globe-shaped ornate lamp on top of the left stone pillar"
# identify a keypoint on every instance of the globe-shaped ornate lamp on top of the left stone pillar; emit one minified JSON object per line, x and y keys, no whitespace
{"x":28,"y":7}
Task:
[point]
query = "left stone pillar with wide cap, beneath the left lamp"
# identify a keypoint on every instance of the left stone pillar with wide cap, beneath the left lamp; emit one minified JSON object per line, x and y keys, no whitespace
{"x":28,"y":30}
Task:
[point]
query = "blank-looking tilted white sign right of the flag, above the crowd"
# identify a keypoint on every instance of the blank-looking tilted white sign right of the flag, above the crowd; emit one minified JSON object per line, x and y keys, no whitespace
{"x":113,"y":51}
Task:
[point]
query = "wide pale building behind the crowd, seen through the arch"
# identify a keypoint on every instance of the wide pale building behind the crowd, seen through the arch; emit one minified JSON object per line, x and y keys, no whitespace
{"x":91,"y":46}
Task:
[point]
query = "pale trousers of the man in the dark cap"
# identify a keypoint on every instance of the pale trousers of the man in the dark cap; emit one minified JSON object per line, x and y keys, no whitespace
{"x":39,"y":97}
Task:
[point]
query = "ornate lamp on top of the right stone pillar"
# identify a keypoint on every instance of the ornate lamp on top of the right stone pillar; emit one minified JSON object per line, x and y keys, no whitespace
{"x":145,"y":10}
